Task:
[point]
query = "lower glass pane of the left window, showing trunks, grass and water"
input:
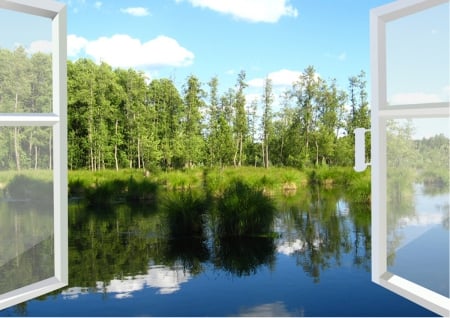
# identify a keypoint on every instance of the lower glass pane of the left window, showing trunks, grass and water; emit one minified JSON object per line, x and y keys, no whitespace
{"x":26,"y":206}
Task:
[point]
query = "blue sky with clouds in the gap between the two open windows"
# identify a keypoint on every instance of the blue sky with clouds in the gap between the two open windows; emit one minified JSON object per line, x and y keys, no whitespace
{"x":176,"y":38}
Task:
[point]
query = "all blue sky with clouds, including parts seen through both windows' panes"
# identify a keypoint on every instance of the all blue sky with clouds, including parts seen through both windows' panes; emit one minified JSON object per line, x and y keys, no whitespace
{"x":275,"y":38}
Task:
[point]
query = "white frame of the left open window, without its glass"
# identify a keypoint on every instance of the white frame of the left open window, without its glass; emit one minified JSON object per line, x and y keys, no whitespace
{"x":56,"y":12}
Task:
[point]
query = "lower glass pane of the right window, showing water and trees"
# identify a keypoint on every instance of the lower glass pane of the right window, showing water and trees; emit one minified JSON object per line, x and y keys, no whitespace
{"x":418,"y":177}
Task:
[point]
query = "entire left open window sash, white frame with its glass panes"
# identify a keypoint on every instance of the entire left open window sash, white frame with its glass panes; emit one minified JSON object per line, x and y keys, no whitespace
{"x":33,"y":164}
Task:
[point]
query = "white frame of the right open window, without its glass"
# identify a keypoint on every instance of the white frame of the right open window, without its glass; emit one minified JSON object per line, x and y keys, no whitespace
{"x":381,"y":112}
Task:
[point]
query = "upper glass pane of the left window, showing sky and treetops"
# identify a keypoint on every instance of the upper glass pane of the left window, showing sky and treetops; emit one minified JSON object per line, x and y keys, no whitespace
{"x":25,"y":63}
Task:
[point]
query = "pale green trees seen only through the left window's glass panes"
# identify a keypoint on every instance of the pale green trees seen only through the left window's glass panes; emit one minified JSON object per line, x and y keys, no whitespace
{"x":25,"y":87}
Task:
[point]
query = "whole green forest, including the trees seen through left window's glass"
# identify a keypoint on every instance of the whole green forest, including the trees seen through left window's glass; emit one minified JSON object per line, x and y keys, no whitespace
{"x":118,"y":119}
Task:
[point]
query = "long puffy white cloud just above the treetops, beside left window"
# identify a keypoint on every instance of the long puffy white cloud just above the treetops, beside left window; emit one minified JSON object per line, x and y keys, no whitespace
{"x":121,"y":50}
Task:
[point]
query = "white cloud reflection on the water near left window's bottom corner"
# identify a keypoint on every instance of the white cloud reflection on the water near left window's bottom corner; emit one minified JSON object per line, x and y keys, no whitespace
{"x":166,"y":280}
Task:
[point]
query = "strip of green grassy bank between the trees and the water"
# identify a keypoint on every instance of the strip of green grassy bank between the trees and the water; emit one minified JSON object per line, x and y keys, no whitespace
{"x":109,"y":186}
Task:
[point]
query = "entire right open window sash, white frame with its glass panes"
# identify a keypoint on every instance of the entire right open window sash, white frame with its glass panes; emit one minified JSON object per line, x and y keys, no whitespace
{"x":410,"y":150}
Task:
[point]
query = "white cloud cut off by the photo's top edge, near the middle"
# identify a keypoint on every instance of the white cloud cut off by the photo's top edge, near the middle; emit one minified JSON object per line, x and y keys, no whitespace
{"x":250,"y":10}
